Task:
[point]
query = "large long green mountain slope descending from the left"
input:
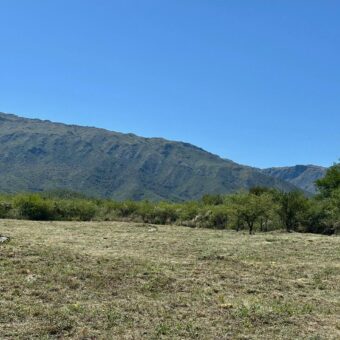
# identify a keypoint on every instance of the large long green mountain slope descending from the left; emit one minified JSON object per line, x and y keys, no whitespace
{"x":38,"y":155}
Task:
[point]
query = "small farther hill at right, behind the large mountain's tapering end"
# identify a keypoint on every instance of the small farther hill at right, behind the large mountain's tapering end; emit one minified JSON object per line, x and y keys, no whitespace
{"x":302,"y":176}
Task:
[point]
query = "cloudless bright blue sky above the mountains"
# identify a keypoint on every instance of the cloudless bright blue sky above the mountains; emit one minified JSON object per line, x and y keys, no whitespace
{"x":255,"y":81}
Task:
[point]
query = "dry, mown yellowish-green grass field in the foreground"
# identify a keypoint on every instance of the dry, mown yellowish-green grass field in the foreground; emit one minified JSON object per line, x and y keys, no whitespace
{"x":131,"y":281}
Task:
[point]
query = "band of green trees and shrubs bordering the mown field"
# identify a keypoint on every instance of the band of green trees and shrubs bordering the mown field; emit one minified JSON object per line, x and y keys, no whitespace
{"x":259,"y":209}
